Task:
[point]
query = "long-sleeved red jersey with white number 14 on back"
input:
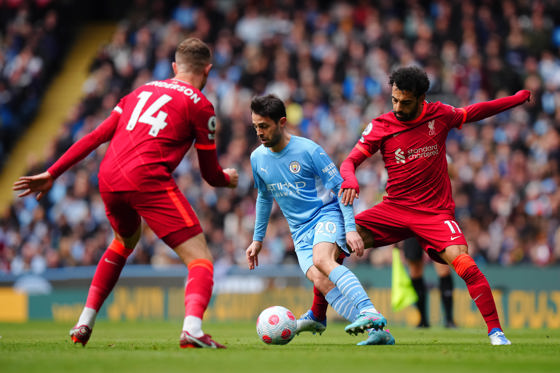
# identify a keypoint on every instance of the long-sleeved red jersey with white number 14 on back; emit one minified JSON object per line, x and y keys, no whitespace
{"x":150,"y":131}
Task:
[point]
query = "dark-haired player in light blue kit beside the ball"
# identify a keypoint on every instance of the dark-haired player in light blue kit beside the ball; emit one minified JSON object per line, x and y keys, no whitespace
{"x":300,"y":176}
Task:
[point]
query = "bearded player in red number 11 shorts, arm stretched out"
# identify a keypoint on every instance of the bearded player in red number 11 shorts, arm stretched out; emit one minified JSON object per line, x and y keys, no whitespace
{"x":411,"y":139}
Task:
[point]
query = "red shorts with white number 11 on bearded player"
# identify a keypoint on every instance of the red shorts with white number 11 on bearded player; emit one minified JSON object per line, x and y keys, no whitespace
{"x":391,"y":223}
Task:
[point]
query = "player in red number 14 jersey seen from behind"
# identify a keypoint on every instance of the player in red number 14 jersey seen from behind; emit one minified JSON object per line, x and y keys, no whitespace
{"x":150,"y":130}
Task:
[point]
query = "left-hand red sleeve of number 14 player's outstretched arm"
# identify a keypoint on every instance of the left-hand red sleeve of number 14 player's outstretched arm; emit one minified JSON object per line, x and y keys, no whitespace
{"x":81,"y":148}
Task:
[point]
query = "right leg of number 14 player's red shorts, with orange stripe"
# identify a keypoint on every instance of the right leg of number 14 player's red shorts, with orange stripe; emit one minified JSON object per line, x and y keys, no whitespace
{"x":169,"y":215}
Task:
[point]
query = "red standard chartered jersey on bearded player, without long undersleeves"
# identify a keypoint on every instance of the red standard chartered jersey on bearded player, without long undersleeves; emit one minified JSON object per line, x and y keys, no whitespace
{"x":415,"y":156}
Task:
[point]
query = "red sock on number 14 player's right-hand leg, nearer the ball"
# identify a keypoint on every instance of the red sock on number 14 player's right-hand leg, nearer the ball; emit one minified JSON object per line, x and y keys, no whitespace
{"x":198,"y":291}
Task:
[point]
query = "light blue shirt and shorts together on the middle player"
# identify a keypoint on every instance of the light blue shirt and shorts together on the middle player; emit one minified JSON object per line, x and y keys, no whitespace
{"x":301,"y":178}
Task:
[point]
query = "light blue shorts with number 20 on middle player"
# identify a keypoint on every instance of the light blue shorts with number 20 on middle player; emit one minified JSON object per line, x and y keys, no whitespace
{"x":326,"y":227}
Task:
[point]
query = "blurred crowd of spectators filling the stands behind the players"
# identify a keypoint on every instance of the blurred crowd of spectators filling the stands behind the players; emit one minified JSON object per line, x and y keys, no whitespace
{"x":329,"y":61}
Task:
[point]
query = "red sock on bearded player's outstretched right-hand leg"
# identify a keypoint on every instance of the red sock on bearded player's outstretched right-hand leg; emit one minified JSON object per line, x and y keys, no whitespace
{"x":479,"y":289}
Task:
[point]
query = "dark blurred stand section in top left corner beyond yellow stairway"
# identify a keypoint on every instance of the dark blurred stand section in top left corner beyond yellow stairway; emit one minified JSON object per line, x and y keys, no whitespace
{"x":34,"y":36}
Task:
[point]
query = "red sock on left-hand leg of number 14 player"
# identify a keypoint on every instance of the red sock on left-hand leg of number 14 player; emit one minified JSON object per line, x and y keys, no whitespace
{"x":107,"y":274}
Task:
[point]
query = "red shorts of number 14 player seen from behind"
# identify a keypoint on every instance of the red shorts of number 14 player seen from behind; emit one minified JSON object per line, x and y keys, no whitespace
{"x":167,"y":213}
